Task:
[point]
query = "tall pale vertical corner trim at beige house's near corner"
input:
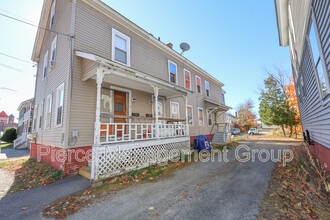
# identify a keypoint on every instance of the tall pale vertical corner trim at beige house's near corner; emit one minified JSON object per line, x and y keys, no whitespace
{"x":68,"y":104}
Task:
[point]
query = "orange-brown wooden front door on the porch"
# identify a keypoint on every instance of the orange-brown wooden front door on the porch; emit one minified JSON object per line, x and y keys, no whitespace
{"x":120,"y":109}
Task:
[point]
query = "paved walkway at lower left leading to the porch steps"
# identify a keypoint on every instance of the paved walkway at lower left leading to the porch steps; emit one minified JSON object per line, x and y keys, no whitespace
{"x":37,"y":199}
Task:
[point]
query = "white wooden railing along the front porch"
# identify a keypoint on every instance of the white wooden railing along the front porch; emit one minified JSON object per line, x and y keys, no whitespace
{"x":122,"y":132}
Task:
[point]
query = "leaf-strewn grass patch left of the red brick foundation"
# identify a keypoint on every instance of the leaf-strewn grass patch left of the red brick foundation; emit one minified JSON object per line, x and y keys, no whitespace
{"x":30,"y":174}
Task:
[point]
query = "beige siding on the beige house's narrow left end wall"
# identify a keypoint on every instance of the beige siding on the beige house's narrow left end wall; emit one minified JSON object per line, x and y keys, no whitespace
{"x":58,"y":75}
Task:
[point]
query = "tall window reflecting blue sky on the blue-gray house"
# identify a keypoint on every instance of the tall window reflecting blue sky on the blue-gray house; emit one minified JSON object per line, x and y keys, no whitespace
{"x":321,"y":72}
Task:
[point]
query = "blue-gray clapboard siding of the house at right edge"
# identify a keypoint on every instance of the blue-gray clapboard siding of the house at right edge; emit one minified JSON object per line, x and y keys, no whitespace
{"x":315,"y":115}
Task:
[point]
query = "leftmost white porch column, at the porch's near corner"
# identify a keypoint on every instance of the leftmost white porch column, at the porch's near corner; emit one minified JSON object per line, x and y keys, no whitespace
{"x":99,"y":79}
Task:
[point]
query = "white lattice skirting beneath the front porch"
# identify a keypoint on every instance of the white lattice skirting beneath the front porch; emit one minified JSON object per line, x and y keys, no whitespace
{"x":114,"y":159}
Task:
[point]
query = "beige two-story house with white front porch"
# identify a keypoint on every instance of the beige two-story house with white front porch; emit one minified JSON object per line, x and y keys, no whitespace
{"x":104,"y":83}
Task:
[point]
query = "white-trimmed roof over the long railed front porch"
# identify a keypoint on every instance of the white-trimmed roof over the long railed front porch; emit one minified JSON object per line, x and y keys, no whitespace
{"x":118,"y":74}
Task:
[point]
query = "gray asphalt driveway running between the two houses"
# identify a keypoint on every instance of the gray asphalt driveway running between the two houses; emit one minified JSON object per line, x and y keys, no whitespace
{"x":203,"y":190}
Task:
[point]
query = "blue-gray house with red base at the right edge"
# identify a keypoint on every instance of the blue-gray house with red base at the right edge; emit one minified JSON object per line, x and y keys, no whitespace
{"x":304,"y":26}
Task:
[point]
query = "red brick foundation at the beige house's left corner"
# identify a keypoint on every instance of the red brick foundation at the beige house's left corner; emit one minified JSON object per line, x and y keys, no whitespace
{"x":62,"y":159}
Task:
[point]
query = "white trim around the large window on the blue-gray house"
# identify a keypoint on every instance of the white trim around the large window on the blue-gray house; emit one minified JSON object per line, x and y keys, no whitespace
{"x":324,"y":100}
